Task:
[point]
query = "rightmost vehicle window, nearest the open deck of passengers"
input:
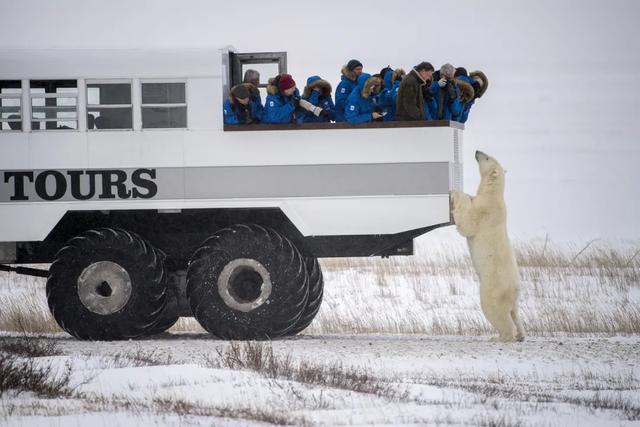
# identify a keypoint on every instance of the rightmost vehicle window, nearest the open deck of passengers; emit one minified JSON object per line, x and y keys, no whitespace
{"x":164,"y":105}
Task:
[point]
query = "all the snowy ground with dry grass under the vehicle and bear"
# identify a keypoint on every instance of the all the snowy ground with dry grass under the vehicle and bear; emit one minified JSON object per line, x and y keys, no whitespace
{"x":397,"y":342}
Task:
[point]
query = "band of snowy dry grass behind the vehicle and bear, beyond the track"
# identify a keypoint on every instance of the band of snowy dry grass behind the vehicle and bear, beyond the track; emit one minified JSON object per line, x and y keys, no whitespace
{"x":565,"y":290}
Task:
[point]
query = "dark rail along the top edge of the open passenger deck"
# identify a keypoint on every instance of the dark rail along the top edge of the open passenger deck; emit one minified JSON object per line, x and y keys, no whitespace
{"x":344,"y":125}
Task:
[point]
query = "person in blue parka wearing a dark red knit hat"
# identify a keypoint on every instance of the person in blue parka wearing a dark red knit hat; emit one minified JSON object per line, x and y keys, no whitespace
{"x":282,"y":105}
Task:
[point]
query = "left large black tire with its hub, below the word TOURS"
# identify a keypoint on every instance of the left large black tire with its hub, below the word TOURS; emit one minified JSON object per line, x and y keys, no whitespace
{"x":88,"y":283}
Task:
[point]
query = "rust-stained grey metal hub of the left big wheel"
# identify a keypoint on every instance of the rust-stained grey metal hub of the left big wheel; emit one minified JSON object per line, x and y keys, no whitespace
{"x":104,"y":287}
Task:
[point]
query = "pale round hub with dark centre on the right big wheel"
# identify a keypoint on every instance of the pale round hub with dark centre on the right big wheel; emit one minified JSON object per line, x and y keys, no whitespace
{"x":244,"y":284}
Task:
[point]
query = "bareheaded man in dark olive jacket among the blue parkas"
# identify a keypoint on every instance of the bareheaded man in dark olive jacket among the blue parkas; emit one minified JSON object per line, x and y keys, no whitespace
{"x":410,"y":102}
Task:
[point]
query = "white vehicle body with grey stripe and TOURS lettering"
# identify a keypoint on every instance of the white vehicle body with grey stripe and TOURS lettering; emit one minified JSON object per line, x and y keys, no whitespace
{"x":342,"y":181}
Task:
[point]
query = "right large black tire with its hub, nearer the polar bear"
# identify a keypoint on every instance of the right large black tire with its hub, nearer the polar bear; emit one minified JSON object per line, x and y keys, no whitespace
{"x":247,"y":282}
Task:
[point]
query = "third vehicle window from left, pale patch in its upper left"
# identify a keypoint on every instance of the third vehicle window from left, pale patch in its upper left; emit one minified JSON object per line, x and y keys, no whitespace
{"x":109,"y":105}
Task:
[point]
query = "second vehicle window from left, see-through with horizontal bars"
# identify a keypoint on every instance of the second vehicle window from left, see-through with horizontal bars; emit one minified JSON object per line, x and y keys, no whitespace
{"x":54,"y":104}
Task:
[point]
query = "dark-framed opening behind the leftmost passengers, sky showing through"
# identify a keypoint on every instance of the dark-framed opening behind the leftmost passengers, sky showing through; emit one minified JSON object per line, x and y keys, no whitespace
{"x":268,"y":64}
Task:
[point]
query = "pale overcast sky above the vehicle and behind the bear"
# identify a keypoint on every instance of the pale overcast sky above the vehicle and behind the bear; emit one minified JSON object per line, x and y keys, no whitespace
{"x":561,"y":112}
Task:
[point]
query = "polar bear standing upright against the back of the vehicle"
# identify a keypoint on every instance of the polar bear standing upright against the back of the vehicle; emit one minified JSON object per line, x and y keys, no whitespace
{"x":483,"y":221}
